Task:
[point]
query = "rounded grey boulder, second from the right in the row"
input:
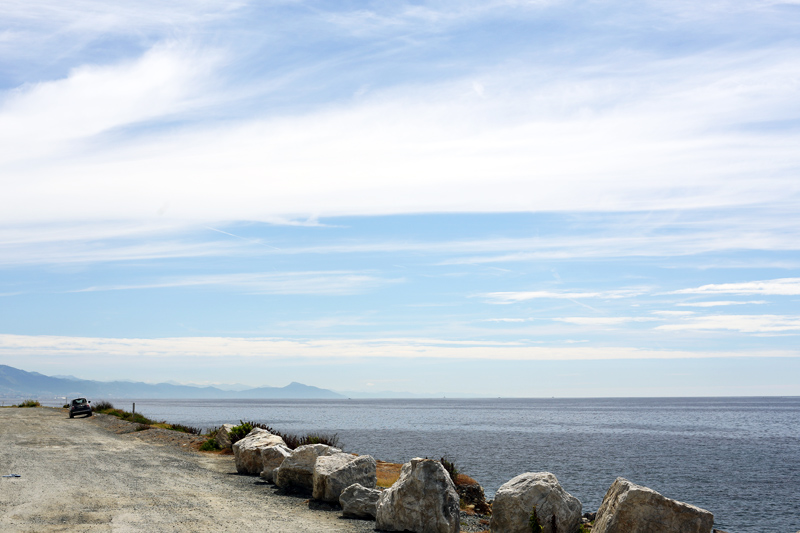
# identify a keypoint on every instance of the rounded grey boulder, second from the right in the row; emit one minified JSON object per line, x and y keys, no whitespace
{"x":557,"y":510}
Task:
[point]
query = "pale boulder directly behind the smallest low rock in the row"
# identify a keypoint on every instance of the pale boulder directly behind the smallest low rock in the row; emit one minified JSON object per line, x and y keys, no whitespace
{"x":334,"y":473}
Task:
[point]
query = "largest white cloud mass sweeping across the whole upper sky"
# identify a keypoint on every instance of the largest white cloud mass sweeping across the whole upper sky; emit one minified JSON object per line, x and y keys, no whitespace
{"x":539,"y":141}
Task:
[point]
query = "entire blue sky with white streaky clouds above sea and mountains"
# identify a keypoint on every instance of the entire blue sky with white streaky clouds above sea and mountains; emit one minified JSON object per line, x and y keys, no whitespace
{"x":499,"y":198}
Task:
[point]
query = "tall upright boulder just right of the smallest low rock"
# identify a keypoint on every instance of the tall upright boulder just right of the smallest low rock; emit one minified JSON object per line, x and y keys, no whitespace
{"x":423,"y":500}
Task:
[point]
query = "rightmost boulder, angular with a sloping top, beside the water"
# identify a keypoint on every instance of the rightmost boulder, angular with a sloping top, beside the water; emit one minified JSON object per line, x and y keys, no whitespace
{"x":630,"y":508}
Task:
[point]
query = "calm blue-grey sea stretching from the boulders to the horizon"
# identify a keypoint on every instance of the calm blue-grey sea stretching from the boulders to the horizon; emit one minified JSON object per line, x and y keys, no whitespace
{"x":737,"y":457}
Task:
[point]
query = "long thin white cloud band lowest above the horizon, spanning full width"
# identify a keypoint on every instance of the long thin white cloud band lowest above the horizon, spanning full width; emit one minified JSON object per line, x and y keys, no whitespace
{"x":344,"y":349}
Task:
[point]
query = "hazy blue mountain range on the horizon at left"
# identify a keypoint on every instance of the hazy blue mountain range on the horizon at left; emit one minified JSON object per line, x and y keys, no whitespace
{"x":16,"y":383}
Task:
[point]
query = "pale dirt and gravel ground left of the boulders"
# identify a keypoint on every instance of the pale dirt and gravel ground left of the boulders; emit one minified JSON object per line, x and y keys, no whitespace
{"x":79,"y":475}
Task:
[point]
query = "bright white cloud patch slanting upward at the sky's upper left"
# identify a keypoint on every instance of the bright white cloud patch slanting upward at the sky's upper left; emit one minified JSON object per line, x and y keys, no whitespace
{"x":37,"y":119}
